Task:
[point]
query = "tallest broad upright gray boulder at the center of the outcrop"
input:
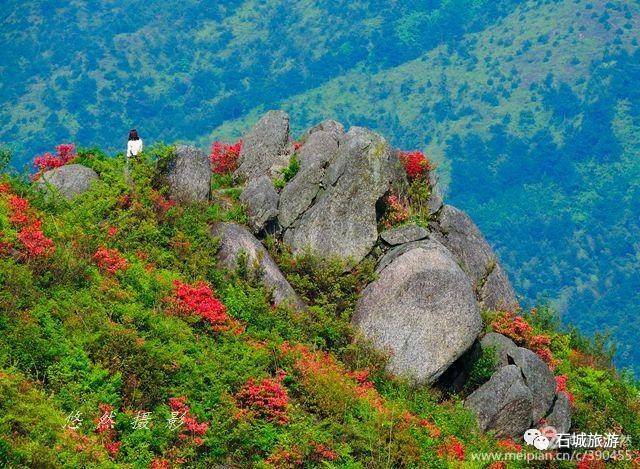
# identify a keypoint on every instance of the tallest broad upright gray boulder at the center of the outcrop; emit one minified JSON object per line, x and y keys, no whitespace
{"x":342,"y":221}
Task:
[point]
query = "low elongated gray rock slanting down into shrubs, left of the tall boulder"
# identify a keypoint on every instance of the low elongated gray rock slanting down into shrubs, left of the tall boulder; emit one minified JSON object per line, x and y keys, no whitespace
{"x":236,"y":240}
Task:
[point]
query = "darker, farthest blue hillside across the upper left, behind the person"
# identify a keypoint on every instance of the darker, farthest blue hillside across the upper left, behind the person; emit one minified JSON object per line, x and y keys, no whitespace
{"x":87,"y":70}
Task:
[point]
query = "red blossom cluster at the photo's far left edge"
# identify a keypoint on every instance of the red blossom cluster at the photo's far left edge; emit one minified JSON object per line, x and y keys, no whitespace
{"x":33,"y":242}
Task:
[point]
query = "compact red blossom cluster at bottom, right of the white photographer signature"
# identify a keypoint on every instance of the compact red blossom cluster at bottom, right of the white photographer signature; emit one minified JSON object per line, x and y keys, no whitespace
{"x":267,"y":399}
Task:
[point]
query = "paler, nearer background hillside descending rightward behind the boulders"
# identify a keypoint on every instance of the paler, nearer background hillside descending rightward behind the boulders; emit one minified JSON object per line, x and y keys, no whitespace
{"x":535,"y":123}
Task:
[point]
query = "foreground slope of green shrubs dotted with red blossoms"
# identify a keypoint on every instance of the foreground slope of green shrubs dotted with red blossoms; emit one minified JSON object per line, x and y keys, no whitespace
{"x":122,"y":344}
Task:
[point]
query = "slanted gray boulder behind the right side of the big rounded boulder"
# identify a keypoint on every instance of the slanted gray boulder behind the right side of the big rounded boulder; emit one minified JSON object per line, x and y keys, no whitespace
{"x":463,"y":238}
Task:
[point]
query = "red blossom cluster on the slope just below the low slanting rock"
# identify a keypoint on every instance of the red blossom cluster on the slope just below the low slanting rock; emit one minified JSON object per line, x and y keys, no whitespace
{"x":198,"y":300}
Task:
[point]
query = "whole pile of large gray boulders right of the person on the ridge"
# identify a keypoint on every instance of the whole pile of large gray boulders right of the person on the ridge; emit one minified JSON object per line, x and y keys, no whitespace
{"x":423,"y":308}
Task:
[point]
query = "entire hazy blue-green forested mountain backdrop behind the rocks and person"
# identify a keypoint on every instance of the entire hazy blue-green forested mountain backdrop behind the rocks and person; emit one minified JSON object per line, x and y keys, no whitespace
{"x":531,"y":108}
